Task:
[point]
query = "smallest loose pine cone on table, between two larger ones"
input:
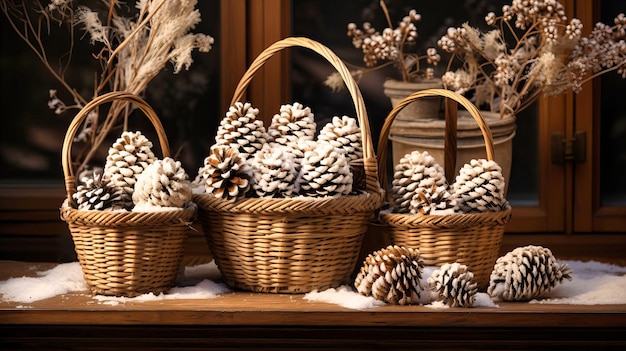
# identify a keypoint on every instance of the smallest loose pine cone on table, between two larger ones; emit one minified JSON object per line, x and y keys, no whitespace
{"x":454,"y":285}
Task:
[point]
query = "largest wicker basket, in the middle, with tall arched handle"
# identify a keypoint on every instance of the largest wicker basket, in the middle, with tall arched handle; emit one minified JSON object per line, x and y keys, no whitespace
{"x":292,"y":245}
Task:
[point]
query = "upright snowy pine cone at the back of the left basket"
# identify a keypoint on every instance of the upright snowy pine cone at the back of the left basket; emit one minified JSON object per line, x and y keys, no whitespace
{"x":127,"y":158}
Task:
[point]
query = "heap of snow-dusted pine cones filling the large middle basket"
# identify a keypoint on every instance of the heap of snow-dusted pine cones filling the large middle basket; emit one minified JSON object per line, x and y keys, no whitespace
{"x":283,"y":160}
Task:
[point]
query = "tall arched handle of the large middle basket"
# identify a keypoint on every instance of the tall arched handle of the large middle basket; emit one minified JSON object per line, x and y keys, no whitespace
{"x":369,"y":157}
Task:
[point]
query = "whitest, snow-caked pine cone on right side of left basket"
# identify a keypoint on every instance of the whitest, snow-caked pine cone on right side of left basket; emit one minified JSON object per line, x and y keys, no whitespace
{"x":164,"y":183}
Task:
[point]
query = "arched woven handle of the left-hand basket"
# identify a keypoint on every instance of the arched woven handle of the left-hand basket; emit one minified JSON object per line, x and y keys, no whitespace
{"x":66,"y":160}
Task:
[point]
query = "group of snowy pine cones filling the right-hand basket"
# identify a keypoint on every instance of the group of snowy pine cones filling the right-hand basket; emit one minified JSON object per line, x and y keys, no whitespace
{"x":419,"y":186}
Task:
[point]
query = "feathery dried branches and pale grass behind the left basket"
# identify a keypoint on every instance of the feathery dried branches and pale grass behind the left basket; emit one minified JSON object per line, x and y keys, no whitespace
{"x":132,"y":45}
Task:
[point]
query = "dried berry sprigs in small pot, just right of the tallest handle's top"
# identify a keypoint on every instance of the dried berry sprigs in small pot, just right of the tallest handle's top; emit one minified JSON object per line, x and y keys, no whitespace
{"x":396,"y":46}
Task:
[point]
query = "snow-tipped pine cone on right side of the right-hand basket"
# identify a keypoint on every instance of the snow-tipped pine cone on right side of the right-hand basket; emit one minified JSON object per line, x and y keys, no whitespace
{"x":479,"y":187}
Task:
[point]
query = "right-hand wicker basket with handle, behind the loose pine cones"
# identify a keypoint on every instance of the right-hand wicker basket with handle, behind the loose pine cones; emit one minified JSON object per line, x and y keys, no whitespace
{"x":470,"y":239}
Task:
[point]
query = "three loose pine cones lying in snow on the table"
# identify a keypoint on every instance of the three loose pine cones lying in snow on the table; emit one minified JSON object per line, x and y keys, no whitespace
{"x":394,"y":275}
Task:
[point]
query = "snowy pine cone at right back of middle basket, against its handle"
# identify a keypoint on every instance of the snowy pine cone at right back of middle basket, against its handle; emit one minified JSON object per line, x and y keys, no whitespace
{"x":344,"y":133}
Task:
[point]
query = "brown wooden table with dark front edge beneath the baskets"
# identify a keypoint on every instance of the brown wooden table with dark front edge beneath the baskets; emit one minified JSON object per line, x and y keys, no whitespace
{"x":250,"y":321}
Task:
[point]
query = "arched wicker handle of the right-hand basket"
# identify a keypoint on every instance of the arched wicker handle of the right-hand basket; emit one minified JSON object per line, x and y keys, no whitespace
{"x":452,"y":101}
